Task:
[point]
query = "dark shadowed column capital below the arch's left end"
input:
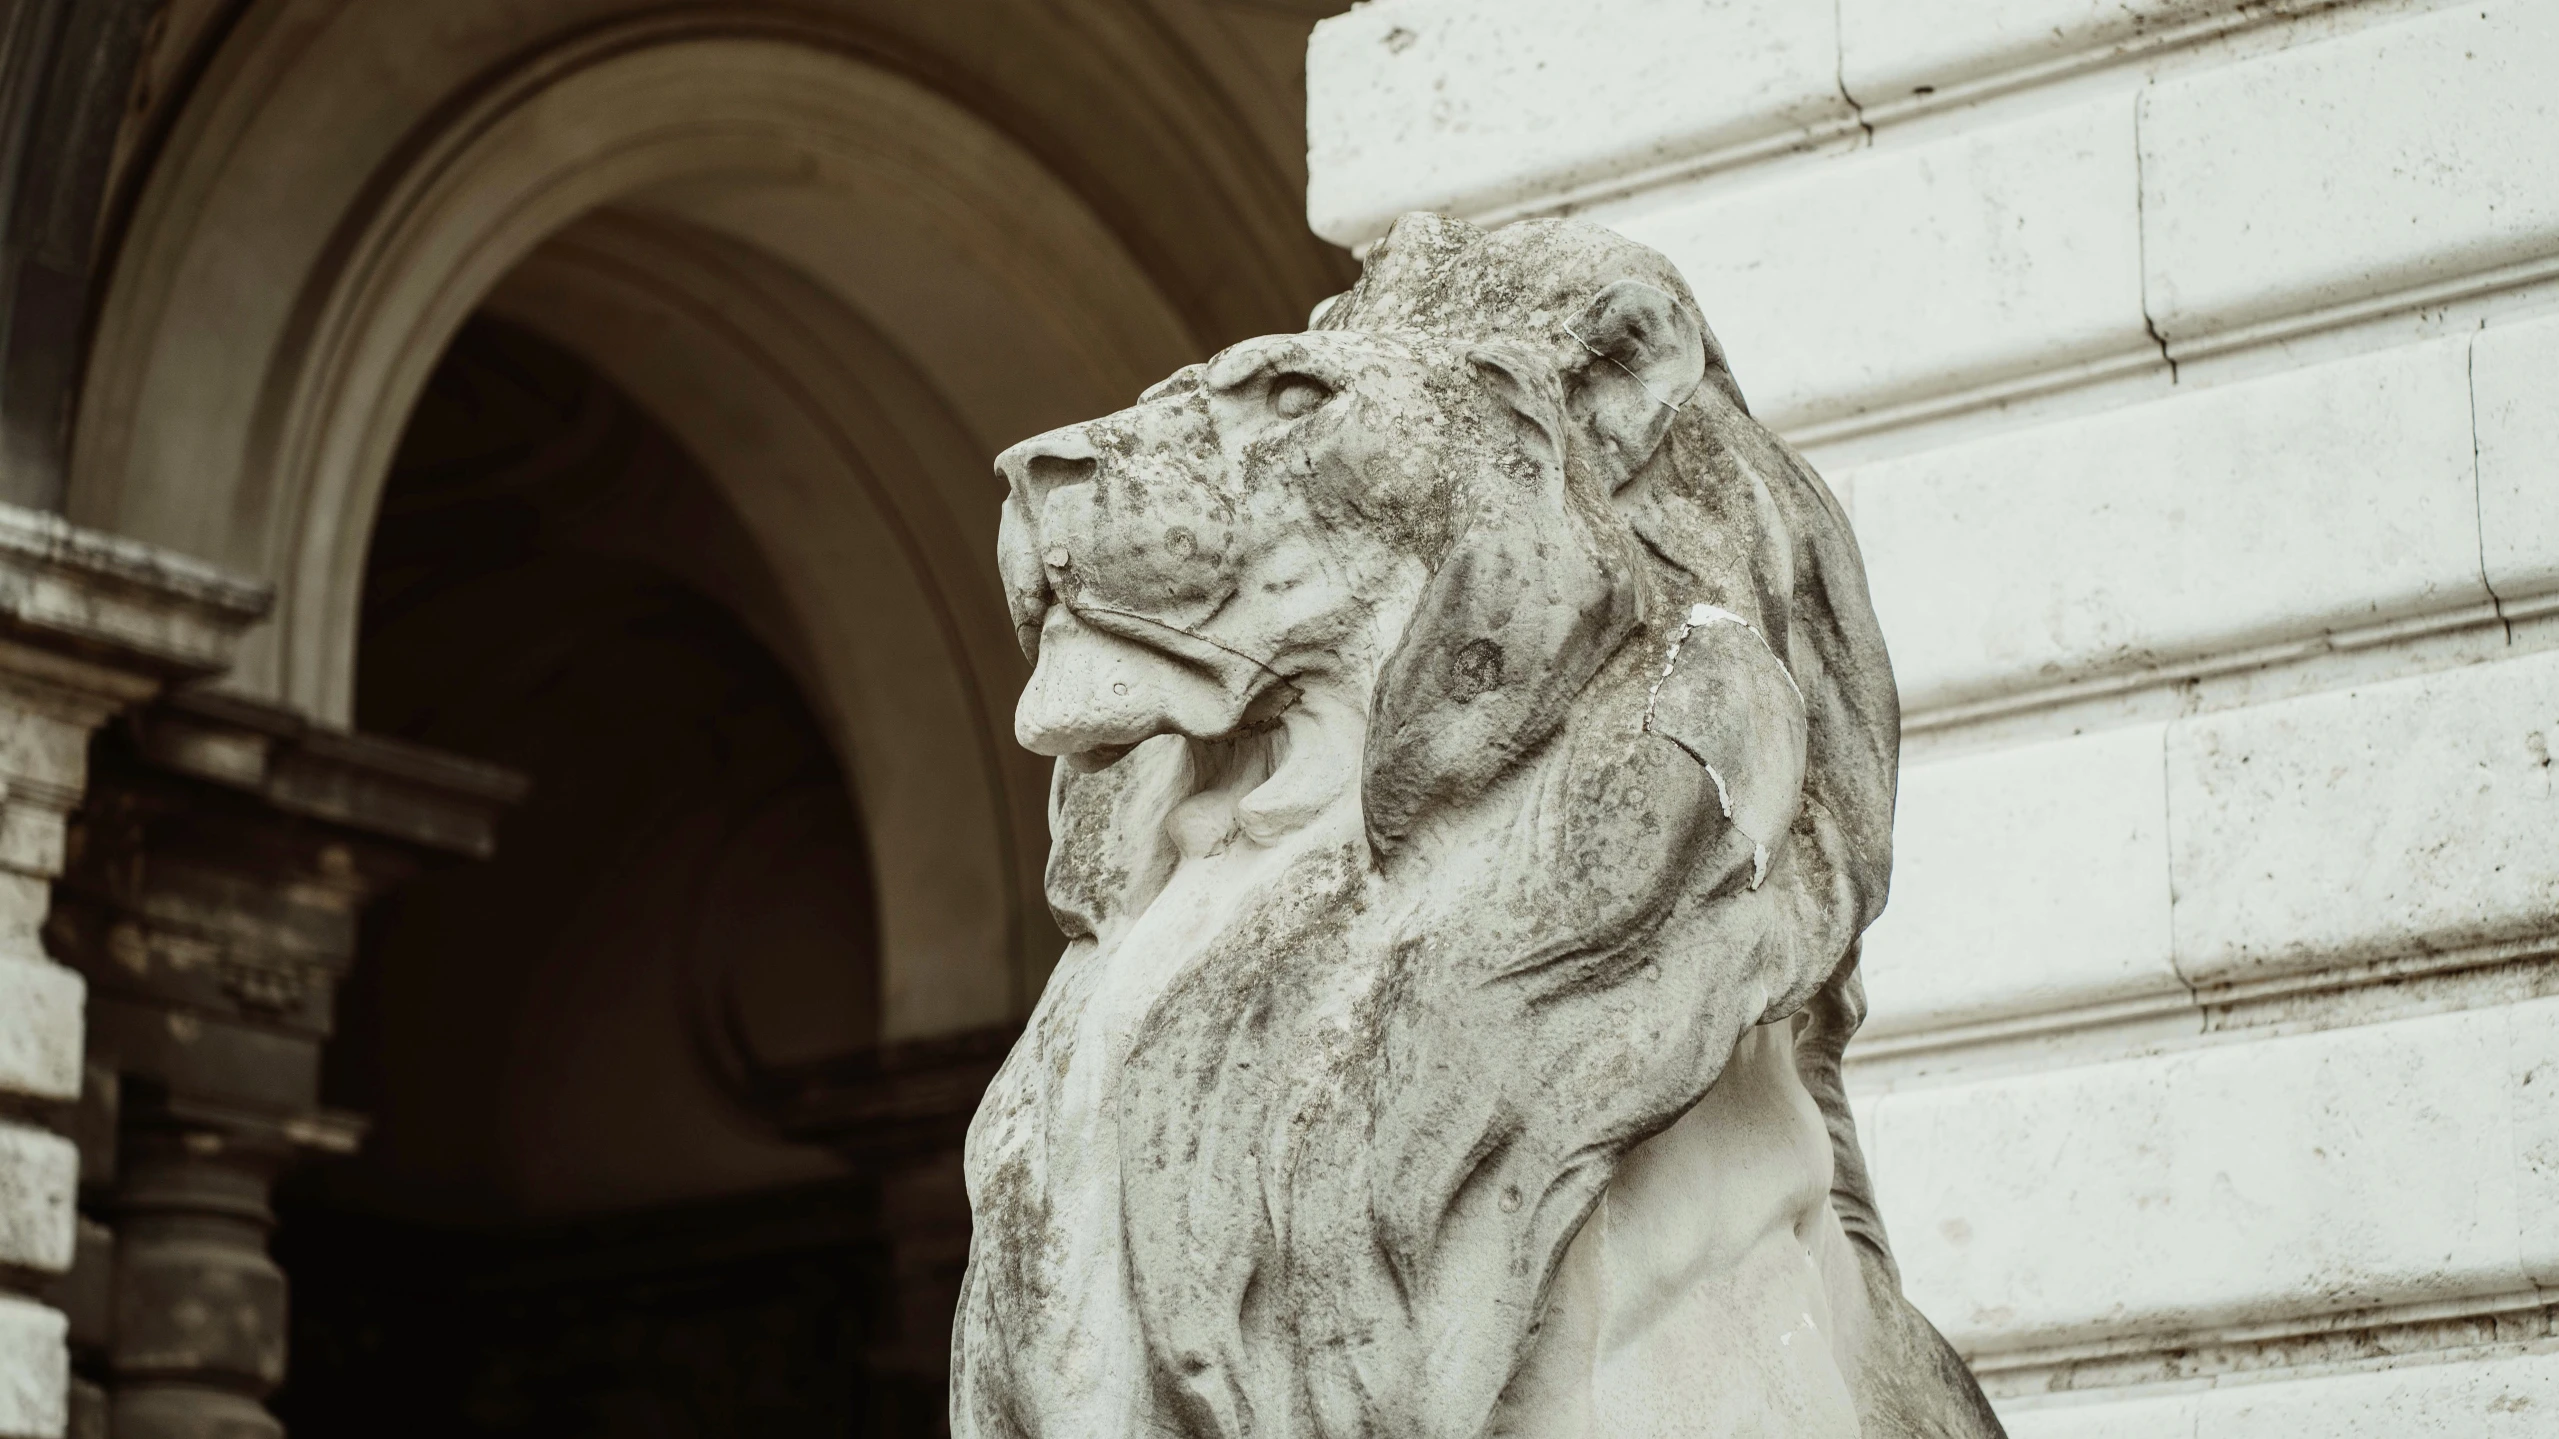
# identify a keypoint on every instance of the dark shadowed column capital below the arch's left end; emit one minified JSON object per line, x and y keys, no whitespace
{"x":216,"y":880}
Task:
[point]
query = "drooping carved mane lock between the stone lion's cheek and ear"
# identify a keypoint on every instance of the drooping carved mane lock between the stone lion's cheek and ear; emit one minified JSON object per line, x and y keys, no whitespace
{"x":1534,"y":595}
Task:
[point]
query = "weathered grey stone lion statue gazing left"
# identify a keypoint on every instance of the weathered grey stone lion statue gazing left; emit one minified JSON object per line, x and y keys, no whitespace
{"x":1475,"y":767}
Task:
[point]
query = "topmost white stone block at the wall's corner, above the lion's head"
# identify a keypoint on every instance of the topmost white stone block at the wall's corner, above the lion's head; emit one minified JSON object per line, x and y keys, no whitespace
{"x":1465,"y":106}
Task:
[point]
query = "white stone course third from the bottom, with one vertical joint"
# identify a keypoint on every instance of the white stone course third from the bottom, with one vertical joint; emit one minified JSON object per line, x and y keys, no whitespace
{"x":2325,"y":831}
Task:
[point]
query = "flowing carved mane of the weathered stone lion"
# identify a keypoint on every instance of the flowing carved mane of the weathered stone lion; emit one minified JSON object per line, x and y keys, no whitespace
{"x":1363,"y":1125}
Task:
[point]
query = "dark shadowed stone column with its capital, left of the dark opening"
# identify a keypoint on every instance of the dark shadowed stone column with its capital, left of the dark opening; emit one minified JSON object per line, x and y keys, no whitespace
{"x":211,"y":895}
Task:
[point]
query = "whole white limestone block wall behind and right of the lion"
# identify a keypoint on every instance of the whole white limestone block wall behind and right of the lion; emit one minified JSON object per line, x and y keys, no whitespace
{"x":2192,"y":375}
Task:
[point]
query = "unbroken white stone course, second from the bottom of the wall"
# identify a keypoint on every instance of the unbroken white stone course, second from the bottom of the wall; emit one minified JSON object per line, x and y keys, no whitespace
{"x":2217,"y":1187}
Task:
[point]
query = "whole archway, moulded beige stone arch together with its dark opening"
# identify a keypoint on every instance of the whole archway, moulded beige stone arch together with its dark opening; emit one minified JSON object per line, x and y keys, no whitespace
{"x":608,"y":390}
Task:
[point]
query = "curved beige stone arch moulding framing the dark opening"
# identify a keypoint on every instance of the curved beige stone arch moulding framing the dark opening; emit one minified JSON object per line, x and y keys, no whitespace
{"x":836,"y":283}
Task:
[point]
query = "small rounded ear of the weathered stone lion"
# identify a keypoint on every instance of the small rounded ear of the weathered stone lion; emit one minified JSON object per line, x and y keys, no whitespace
{"x":1647,"y":352}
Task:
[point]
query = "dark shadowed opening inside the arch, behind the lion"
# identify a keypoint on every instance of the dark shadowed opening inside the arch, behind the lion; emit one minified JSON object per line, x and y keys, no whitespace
{"x":574,"y":1212}
